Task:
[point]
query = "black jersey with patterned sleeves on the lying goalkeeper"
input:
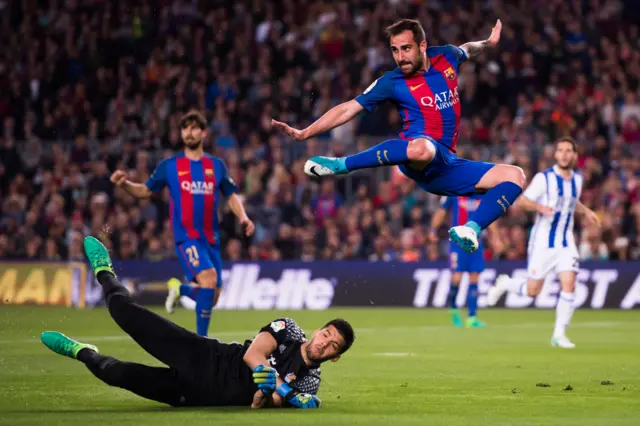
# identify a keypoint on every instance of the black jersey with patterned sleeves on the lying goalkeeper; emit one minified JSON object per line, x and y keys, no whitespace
{"x":233,"y":382}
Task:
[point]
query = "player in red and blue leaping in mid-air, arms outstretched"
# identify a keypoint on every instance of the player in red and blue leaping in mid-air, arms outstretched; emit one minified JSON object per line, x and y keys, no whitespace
{"x":424,"y":88}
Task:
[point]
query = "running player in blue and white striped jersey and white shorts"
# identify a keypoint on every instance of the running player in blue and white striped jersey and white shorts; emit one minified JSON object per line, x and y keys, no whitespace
{"x":554,"y":195}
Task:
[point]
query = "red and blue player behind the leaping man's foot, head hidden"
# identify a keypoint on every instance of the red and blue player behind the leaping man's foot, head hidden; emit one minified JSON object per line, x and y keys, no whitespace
{"x":460,"y":211}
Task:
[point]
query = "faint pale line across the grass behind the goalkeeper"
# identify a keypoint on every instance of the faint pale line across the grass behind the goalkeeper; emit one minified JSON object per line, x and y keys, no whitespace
{"x":250,"y":333}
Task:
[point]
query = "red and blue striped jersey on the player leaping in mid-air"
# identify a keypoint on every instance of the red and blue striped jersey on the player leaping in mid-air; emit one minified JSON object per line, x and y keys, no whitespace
{"x":427,"y":101}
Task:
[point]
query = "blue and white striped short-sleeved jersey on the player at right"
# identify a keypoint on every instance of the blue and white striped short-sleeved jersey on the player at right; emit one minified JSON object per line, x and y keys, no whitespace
{"x":550,"y":189}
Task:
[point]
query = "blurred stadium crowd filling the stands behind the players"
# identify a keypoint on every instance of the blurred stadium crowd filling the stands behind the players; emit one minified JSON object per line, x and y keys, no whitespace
{"x":88,"y":86}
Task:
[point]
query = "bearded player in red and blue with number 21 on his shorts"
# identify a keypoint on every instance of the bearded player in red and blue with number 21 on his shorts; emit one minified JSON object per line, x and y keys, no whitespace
{"x":195,"y":180}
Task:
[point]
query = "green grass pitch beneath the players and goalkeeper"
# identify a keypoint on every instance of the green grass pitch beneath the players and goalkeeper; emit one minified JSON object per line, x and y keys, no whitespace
{"x":407,"y":367}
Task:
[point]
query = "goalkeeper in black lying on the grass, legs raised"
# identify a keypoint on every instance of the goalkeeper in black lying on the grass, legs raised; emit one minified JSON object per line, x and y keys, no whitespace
{"x":279,"y":367}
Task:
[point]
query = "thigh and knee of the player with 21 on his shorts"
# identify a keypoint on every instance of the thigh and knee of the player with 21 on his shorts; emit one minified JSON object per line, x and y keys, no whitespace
{"x":195,"y":258}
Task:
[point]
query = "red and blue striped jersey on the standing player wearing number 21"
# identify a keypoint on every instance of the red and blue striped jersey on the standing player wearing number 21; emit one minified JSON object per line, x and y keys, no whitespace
{"x":194,"y":188}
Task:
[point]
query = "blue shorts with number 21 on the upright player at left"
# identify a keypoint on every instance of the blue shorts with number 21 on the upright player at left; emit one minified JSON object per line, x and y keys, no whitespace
{"x":197,"y":255}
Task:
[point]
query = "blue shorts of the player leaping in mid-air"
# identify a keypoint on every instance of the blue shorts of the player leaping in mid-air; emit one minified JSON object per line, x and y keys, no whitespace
{"x":448,"y":174}
